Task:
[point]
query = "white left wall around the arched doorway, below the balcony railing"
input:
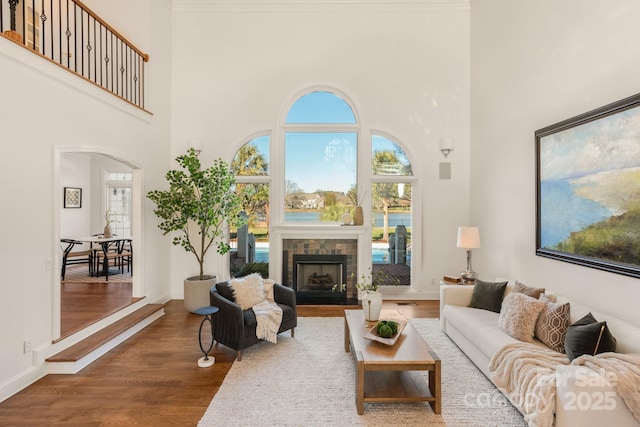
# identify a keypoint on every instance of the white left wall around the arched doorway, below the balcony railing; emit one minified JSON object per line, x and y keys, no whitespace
{"x":44,"y":110}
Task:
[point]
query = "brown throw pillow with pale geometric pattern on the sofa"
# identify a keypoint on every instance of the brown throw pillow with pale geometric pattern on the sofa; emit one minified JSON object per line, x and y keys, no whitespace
{"x":552,"y":324}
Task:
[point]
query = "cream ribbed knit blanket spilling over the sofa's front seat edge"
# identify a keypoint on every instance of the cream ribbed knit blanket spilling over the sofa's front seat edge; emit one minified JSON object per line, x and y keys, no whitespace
{"x":526,"y":374}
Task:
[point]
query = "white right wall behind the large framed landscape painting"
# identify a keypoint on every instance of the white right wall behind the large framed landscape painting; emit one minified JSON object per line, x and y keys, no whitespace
{"x":535,"y":64}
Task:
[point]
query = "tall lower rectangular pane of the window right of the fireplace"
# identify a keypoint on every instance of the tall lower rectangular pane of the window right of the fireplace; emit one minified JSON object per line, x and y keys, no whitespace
{"x":391,"y":235}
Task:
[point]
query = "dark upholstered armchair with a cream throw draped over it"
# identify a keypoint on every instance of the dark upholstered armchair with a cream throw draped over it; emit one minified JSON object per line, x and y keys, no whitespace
{"x":236,"y":328}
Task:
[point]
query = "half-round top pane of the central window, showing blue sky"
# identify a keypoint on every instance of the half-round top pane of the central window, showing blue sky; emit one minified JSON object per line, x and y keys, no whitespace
{"x":320,"y":107}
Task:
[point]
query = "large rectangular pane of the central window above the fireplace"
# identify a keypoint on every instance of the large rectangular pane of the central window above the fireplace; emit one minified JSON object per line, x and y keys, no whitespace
{"x":320,"y":168}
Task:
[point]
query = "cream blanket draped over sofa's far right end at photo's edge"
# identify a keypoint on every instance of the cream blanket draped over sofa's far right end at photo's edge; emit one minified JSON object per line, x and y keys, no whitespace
{"x":623,"y":370}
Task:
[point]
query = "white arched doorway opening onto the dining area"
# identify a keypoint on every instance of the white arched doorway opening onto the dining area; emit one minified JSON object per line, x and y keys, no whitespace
{"x":89,"y":168}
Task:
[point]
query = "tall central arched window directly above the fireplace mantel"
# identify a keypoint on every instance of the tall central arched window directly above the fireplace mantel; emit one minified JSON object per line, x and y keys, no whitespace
{"x":321,"y":158}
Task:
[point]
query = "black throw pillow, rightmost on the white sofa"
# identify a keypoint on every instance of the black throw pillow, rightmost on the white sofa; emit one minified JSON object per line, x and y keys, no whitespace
{"x":588,"y":336}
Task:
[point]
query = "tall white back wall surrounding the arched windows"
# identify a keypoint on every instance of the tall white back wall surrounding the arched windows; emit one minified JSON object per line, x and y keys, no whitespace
{"x":406,"y":68}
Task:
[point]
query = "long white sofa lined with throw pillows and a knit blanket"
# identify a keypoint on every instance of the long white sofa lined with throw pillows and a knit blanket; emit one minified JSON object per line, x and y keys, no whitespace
{"x":582,"y":398}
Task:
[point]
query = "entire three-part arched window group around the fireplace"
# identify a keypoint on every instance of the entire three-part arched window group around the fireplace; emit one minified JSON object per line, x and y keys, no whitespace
{"x":315,"y":181}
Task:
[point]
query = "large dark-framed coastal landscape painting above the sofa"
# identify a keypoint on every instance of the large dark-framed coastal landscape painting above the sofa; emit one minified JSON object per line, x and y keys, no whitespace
{"x":588,"y":189}
